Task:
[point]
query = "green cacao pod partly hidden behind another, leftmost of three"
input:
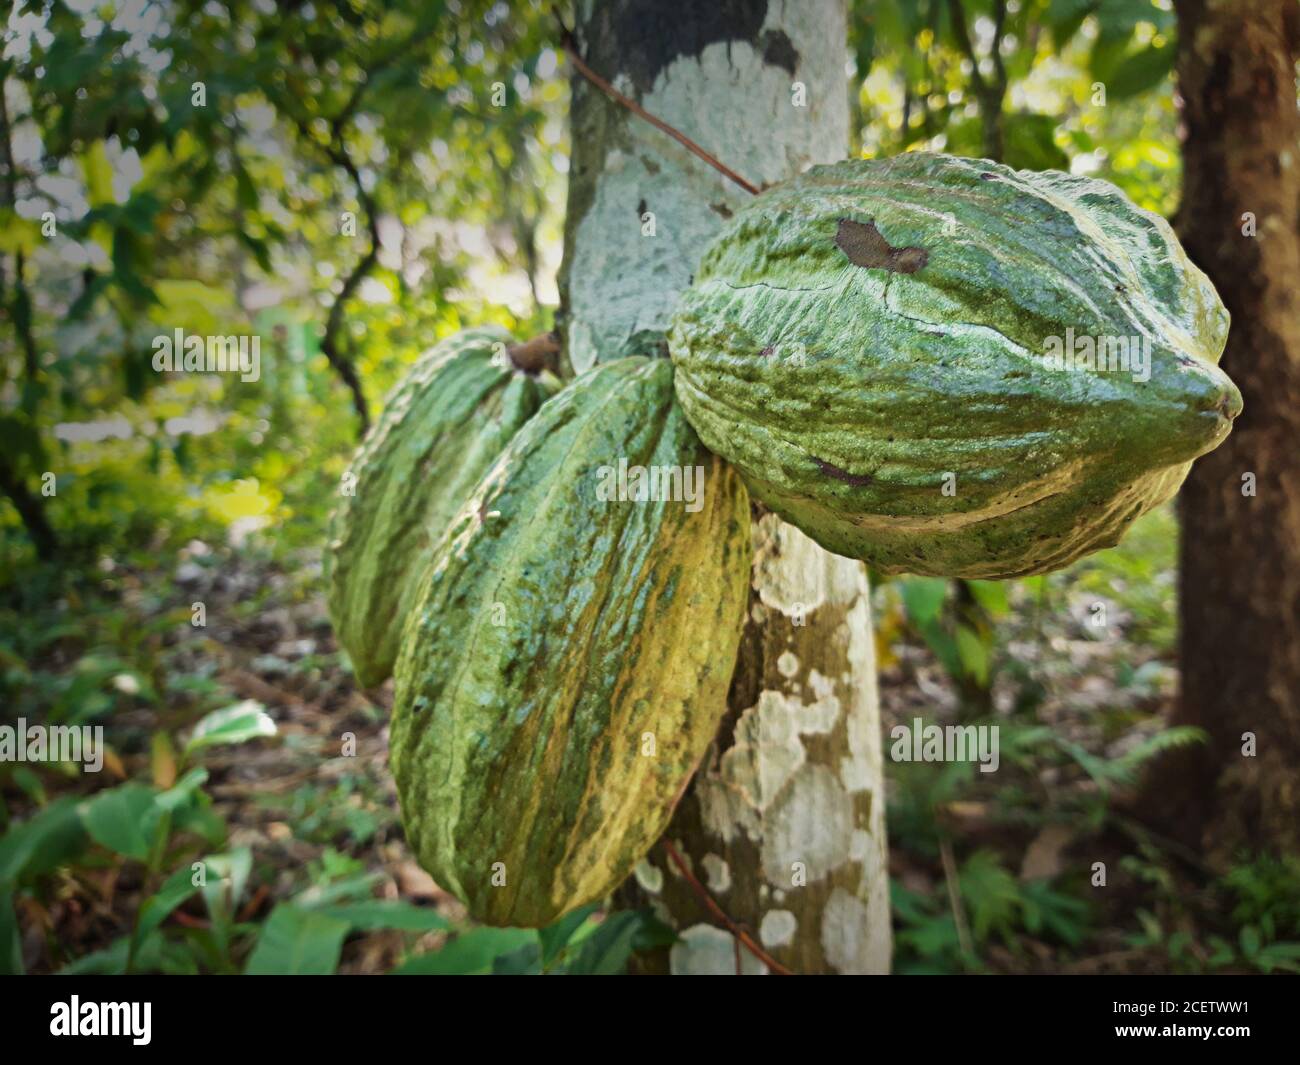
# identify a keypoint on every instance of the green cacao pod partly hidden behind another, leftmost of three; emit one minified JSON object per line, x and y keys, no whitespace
{"x":443,"y":427}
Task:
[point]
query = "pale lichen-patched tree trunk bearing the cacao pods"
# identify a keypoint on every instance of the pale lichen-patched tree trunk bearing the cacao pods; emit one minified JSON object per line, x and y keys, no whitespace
{"x":785,"y":822}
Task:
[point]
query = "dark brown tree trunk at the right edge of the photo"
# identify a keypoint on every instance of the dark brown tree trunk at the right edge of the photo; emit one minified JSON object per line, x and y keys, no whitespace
{"x":1241,"y":509}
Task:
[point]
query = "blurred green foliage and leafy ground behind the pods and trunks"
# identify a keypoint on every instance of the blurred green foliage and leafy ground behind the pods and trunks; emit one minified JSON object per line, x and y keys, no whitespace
{"x":354,"y":181}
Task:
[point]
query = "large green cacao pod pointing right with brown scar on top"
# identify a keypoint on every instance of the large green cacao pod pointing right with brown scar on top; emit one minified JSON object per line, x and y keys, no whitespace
{"x":885,"y":350}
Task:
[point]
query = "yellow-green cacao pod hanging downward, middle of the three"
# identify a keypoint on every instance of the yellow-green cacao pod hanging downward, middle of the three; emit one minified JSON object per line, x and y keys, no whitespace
{"x":569,"y":661}
